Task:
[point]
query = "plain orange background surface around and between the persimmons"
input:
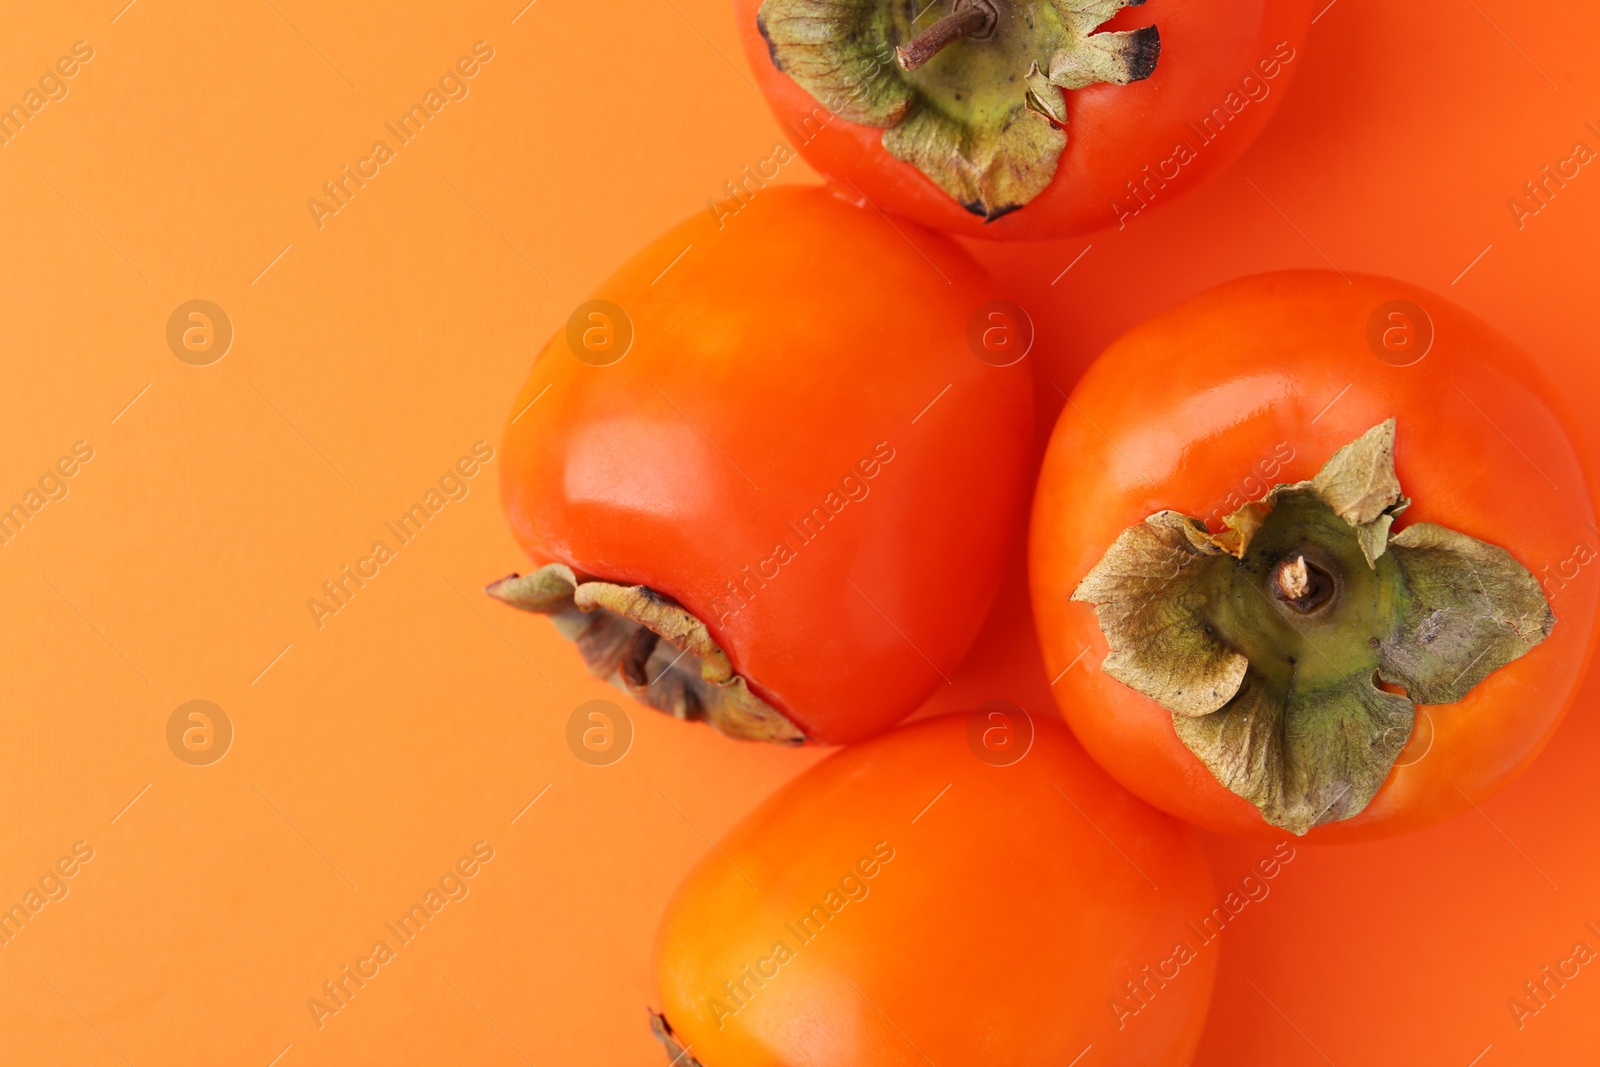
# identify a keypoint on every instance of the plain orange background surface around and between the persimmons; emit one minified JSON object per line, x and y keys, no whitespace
{"x":370,"y":354}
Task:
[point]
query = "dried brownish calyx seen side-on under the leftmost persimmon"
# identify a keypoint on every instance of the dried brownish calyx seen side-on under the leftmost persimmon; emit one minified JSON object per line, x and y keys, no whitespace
{"x":650,"y":647}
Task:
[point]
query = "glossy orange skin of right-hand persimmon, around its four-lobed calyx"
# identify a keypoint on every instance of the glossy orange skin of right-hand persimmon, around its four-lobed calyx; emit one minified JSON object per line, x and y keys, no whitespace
{"x":1188,"y":410}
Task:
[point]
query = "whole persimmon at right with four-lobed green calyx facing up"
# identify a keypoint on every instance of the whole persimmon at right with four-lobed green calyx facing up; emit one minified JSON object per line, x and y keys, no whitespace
{"x":1297,"y":556}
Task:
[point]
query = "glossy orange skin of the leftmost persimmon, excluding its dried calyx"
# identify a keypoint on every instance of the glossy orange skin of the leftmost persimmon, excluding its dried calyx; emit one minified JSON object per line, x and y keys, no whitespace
{"x":801,"y":354}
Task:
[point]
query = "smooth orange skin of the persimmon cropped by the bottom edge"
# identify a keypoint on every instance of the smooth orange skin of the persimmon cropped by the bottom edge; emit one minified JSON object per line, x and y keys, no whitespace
{"x":1014,"y":906}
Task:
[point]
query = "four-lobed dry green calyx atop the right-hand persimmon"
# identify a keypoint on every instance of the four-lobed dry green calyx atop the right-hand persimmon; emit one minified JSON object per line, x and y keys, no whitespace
{"x":1268,"y":641}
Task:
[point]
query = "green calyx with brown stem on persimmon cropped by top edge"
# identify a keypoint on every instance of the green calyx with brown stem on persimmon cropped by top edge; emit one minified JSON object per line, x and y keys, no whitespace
{"x":974,"y":98}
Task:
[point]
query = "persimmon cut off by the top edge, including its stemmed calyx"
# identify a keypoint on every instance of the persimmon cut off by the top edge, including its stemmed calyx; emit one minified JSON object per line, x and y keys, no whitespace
{"x":1023,"y":119}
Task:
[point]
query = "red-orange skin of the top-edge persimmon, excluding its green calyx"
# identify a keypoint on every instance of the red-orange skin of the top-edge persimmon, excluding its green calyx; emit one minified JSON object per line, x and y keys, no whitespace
{"x":1114,"y":132}
